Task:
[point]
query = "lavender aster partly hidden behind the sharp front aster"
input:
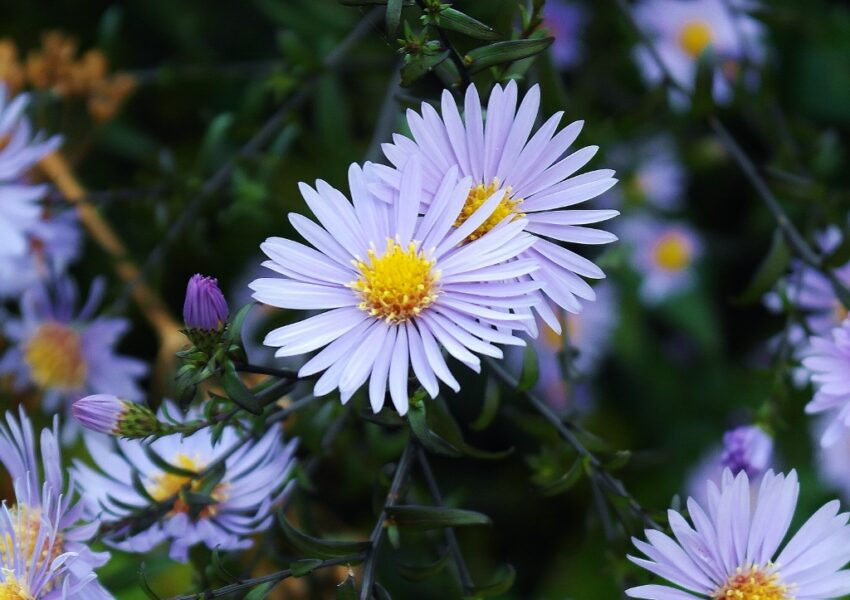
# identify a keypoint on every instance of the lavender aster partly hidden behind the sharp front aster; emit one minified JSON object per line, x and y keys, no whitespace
{"x":537,"y":182}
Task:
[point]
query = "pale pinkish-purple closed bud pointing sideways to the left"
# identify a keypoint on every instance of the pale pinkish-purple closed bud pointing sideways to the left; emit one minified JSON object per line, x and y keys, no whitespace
{"x":109,"y":414}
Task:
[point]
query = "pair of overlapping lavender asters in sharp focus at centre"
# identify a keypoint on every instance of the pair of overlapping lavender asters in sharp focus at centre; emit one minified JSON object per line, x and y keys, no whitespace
{"x":447,"y":247}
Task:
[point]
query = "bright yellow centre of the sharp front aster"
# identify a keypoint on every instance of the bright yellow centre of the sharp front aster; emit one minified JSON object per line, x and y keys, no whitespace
{"x":398,"y":285}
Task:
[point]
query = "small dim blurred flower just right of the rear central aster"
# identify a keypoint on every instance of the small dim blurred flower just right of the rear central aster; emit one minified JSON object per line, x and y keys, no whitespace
{"x":655,"y":175}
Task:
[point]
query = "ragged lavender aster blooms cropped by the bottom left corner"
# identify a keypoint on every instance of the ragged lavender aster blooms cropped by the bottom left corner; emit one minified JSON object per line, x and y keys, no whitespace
{"x":43,"y":541}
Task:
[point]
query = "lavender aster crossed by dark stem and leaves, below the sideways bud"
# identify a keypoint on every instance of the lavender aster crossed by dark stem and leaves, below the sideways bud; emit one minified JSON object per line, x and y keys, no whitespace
{"x":241,"y":503}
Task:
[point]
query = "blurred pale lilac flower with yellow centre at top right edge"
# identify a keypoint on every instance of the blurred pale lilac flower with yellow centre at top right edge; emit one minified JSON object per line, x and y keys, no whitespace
{"x":686,"y":31}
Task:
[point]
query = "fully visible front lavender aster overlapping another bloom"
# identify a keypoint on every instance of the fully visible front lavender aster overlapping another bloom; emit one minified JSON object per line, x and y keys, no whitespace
{"x":398,"y":286}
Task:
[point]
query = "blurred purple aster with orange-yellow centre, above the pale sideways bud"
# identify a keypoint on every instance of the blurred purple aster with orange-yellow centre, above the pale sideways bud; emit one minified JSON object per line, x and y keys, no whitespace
{"x":67,"y":354}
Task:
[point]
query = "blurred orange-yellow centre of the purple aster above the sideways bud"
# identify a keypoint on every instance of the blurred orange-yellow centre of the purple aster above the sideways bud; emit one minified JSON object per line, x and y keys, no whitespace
{"x":55,"y":357}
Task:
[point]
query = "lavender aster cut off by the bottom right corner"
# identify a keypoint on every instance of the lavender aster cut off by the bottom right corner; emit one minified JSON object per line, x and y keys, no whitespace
{"x":734,"y":548}
